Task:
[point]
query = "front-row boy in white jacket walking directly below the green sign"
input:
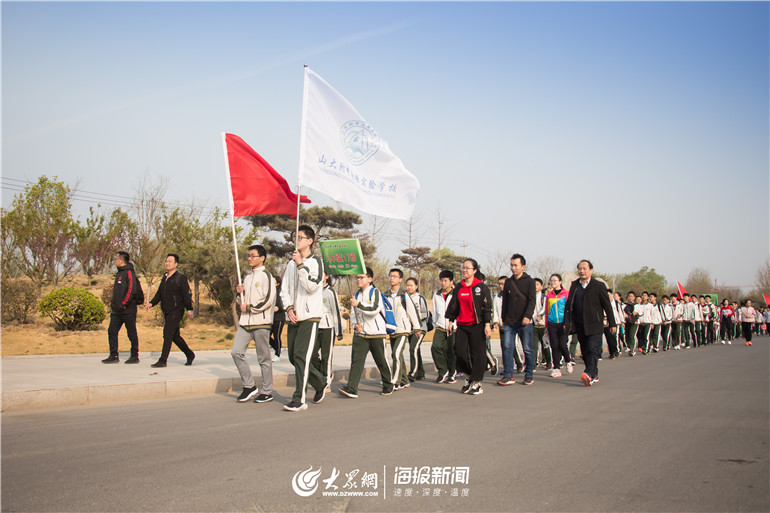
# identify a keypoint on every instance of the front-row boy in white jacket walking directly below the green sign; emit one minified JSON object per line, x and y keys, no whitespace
{"x":366,"y":314}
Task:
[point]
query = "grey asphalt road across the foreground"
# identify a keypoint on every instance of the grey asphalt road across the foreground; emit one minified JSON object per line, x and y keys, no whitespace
{"x":681,"y":431}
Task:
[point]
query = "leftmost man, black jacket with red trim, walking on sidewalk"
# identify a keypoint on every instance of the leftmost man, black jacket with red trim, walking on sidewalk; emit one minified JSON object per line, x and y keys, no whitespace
{"x":126,"y":294}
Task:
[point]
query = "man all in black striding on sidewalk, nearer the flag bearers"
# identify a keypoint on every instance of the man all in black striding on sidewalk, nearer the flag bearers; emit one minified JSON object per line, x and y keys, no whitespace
{"x":175,"y":297}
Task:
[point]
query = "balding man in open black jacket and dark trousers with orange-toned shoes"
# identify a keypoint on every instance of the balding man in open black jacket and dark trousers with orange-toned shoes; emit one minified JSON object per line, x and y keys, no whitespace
{"x":587,"y":304}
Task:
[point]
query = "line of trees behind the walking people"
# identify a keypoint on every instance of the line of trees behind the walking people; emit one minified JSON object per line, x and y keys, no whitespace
{"x":43,"y":242}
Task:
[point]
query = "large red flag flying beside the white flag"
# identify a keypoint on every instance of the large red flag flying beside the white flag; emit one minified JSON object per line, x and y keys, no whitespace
{"x":256,"y":187}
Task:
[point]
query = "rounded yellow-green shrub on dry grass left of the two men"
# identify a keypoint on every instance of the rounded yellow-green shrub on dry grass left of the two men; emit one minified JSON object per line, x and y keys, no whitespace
{"x":73,"y":309}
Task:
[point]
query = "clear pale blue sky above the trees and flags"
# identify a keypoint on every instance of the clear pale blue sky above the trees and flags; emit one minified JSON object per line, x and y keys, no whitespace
{"x":628,"y":133}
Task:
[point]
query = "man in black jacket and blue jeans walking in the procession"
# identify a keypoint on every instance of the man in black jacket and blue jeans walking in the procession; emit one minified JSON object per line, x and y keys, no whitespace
{"x":516,"y":313}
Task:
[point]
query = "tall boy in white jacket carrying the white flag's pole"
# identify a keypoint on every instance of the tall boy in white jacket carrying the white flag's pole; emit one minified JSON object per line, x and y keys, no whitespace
{"x":302,"y":296}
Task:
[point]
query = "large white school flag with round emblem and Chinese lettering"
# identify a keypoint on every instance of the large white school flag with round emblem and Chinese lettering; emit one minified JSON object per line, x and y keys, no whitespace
{"x":344,"y":157}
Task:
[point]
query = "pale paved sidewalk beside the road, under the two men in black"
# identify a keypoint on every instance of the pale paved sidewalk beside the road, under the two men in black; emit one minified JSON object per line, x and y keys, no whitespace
{"x":48,"y":381}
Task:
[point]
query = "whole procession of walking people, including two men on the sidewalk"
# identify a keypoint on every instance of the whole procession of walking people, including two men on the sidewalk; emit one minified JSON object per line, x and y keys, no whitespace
{"x":539,"y":324}
